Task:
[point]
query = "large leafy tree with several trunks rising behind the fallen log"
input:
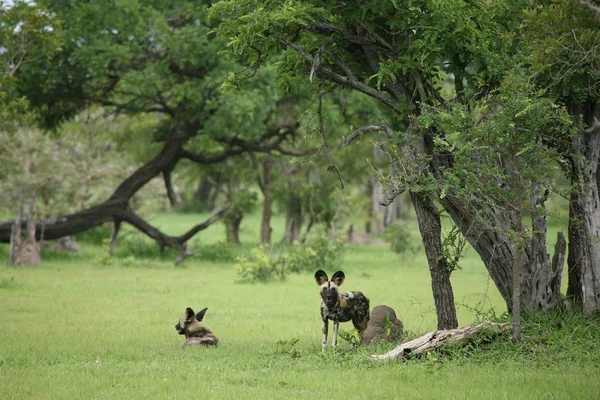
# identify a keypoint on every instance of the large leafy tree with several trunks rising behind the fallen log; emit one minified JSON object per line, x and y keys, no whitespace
{"x":400,"y":53}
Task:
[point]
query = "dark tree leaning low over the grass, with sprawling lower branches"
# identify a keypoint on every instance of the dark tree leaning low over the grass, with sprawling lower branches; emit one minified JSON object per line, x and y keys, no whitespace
{"x":146,"y":58}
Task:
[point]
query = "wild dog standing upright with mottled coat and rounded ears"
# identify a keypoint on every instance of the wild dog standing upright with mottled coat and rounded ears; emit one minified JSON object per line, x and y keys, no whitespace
{"x":340,"y":306}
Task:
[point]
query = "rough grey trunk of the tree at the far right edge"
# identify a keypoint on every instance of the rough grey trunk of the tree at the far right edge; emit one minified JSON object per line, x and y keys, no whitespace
{"x":584,"y":212}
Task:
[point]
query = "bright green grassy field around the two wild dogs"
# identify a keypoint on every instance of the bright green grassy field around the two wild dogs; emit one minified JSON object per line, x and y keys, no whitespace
{"x":83,"y":325}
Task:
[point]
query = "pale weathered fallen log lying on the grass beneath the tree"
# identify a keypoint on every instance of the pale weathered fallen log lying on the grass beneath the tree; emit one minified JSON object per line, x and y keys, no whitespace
{"x":436,"y":339}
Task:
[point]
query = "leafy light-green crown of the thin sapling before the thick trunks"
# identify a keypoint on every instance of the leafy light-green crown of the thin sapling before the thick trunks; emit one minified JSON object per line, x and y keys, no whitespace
{"x":518,"y":132}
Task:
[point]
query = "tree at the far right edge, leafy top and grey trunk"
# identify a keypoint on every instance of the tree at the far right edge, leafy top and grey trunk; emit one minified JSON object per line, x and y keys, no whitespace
{"x":566,"y":61}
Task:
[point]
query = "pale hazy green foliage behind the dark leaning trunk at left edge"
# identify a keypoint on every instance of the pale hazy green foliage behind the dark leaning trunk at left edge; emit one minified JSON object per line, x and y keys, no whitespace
{"x":67,"y":172}
